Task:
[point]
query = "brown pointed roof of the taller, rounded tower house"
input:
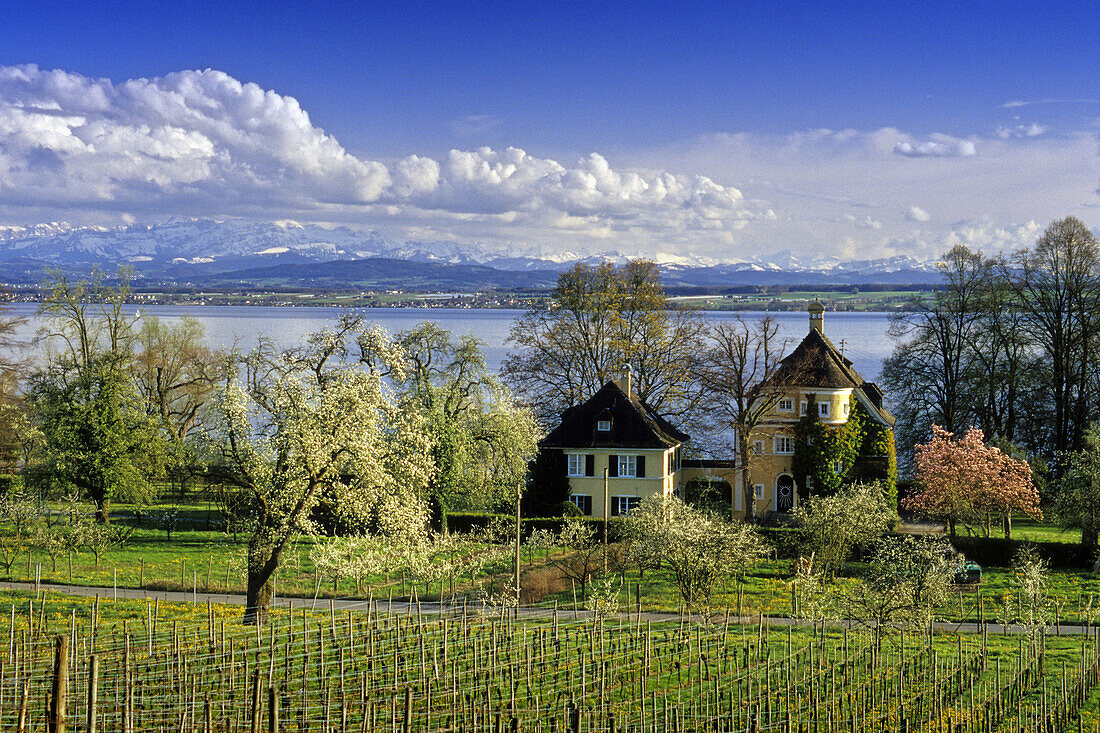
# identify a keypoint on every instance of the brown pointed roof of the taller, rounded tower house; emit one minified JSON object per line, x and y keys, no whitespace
{"x":816,"y":363}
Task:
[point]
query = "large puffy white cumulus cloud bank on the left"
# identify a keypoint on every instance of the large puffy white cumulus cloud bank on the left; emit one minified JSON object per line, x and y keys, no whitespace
{"x":202,"y":143}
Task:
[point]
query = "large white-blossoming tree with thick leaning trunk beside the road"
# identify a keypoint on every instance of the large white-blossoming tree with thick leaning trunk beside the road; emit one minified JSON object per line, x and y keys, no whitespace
{"x":315,"y":423}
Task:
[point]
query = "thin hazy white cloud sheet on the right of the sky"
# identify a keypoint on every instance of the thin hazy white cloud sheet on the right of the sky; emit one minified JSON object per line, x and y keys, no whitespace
{"x":826,"y":185}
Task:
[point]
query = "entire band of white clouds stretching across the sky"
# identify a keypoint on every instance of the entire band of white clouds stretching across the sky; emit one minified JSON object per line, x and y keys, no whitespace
{"x":203,"y":144}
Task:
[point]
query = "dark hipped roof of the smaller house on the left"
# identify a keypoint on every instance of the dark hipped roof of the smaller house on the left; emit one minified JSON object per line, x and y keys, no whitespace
{"x":634,"y":424}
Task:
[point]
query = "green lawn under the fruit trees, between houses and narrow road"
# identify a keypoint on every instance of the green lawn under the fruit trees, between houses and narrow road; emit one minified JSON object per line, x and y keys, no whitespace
{"x":215,"y":562}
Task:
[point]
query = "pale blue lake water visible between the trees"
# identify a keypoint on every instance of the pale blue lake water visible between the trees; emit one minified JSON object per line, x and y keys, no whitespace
{"x":863,"y":336}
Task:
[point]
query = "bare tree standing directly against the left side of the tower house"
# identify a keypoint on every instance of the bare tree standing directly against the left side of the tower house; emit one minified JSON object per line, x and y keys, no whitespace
{"x":743,"y":379}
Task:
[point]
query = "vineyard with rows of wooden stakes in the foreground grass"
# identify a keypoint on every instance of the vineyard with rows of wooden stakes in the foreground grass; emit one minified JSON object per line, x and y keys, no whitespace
{"x":140,"y":666}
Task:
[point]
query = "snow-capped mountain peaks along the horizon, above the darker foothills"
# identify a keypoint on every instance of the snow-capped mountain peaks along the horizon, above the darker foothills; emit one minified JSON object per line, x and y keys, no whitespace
{"x":185,"y":249}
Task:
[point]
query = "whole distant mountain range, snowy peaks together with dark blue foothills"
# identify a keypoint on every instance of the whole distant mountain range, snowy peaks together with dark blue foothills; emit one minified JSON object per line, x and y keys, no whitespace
{"x":235,"y":253}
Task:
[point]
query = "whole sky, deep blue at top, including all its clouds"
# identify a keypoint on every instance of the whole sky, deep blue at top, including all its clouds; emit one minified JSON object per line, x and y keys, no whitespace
{"x":849,"y":130}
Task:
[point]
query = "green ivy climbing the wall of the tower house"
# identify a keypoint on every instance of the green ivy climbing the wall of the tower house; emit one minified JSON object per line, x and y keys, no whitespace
{"x":833,"y":456}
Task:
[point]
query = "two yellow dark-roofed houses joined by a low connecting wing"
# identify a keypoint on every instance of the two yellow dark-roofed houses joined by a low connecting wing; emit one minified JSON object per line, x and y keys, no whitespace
{"x":615,"y":446}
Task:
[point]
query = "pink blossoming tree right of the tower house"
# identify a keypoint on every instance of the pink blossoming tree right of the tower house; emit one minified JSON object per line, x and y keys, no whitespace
{"x":965,"y":480}
